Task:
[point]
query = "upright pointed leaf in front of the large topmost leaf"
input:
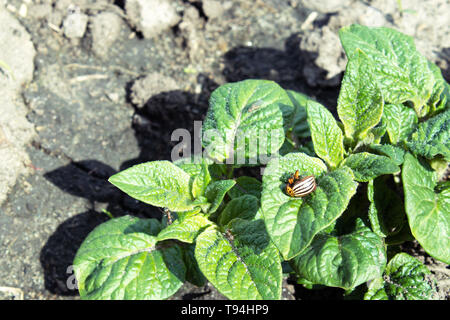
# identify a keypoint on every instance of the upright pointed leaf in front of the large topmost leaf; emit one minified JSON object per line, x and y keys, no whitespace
{"x":360,"y":103}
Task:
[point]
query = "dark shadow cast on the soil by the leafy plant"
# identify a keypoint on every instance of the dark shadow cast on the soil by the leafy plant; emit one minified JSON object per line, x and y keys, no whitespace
{"x":153,"y":125}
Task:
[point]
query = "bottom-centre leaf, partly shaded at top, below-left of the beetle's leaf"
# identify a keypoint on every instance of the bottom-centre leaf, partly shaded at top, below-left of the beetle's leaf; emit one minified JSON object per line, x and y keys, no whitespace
{"x":246,"y":266}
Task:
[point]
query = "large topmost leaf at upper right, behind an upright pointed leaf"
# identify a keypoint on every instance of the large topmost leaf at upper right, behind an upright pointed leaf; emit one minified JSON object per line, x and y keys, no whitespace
{"x":401,"y":71}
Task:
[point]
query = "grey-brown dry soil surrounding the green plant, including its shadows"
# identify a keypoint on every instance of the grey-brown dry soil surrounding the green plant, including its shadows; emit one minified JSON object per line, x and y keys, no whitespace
{"x":108,"y":89}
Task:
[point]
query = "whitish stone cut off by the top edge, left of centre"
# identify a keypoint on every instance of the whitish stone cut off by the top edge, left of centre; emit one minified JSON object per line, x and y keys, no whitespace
{"x":151,"y":17}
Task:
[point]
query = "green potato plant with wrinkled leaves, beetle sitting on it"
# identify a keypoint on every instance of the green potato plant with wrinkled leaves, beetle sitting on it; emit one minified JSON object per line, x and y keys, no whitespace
{"x":378,"y":182}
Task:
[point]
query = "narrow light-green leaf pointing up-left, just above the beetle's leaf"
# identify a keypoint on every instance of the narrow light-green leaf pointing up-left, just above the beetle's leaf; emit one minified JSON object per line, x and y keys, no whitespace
{"x":325,"y":133}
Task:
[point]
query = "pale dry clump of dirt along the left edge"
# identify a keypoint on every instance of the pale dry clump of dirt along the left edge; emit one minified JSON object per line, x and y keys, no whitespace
{"x":16,"y":69}
